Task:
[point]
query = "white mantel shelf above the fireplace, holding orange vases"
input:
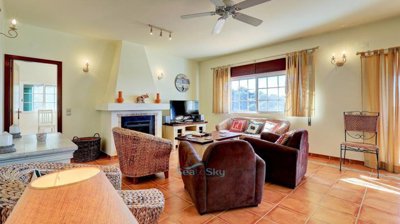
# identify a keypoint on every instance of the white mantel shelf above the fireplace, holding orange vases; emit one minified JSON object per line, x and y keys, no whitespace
{"x":132,"y":106}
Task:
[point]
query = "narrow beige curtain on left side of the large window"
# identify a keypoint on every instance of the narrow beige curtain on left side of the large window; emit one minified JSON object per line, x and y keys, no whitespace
{"x":221,"y":90}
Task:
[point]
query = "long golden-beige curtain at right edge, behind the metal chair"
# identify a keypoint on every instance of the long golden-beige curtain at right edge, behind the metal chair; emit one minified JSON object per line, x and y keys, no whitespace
{"x":380,"y":93}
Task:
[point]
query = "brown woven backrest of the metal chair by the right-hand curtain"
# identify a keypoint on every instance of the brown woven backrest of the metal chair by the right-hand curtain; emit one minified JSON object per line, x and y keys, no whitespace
{"x":361,"y":122}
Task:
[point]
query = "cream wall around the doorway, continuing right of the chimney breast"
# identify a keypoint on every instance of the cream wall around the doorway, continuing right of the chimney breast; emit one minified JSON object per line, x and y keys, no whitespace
{"x":83,"y":91}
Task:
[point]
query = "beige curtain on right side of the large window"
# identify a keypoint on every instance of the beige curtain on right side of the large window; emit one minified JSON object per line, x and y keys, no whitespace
{"x":300,"y":84}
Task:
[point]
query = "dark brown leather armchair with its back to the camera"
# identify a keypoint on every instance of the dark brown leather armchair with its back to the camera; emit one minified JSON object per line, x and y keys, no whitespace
{"x":230,"y":175}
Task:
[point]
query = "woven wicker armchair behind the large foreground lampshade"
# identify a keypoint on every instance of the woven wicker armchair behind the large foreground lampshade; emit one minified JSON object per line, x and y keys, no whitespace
{"x":145,"y":205}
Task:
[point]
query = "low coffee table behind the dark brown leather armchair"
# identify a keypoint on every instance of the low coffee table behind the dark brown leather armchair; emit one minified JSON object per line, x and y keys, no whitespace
{"x":200,"y":144}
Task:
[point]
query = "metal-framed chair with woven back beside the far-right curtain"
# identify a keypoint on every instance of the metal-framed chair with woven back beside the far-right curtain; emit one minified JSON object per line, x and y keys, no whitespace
{"x":361,"y":128}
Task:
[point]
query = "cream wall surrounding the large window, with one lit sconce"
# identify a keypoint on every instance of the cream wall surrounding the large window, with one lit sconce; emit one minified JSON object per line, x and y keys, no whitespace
{"x":337,"y":89}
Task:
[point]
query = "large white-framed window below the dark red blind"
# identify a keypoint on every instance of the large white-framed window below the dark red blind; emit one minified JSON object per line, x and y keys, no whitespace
{"x":258,"y":93}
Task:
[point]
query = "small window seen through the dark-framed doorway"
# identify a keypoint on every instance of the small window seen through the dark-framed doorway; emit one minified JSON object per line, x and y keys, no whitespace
{"x":37,"y":97}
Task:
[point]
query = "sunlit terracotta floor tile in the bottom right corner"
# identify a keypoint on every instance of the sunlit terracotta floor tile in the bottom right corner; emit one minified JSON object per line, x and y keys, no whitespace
{"x":371,"y":215}
